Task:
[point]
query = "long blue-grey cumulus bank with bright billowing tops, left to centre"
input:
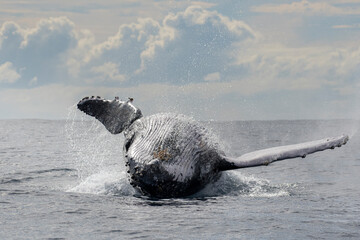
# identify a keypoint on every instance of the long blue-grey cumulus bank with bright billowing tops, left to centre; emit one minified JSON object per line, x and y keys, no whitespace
{"x":184,"y":47}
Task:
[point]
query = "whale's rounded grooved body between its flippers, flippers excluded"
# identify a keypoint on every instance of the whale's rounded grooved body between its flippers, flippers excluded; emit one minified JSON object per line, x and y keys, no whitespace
{"x":170,"y":155}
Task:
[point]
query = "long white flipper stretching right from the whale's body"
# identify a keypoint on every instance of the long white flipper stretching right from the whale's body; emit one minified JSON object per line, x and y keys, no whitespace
{"x":267,"y":156}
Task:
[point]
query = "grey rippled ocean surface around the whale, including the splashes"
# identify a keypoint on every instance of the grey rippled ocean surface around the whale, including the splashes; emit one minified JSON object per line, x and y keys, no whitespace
{"x":67,"y":180}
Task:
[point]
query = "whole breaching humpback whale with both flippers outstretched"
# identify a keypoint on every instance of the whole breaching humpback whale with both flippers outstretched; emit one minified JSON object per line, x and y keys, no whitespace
{"x":171,"y":155}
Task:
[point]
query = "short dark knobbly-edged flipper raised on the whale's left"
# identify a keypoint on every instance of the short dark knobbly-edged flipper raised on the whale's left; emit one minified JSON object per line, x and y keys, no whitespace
{"x":116,"y":115}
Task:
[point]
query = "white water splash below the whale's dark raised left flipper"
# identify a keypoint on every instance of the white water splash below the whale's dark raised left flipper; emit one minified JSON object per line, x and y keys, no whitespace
{"x":97,"y":156}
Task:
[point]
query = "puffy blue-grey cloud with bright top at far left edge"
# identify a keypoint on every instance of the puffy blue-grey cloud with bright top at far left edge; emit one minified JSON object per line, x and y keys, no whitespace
{"x":38,"y":52}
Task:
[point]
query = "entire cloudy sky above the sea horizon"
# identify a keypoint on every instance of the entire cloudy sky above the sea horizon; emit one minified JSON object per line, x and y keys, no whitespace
{"x":220,"y":60}
